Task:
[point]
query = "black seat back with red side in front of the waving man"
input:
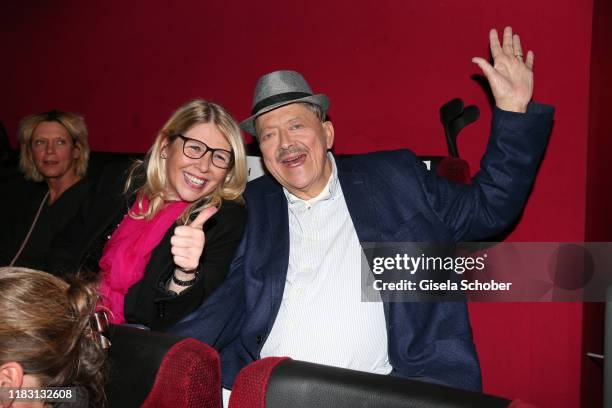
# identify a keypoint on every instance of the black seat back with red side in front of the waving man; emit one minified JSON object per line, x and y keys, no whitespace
{"x":280,"y":382}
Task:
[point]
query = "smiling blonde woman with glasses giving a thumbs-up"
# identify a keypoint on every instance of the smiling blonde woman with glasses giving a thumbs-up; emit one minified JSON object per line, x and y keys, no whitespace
{"x":174,"y":246}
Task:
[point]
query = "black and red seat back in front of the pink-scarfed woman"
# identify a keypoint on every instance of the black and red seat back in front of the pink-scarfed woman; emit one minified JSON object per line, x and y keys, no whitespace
{"x":151,"y":369}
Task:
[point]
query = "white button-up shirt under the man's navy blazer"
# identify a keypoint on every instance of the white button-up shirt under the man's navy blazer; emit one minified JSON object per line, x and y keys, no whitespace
{"x":321,"y":317}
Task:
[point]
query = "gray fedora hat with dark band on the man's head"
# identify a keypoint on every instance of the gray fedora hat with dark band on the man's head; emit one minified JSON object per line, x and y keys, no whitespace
{"x":280,"y":88}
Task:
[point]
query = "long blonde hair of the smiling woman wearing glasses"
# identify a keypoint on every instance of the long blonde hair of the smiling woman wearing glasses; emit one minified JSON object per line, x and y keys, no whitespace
{"x":184,"y":118}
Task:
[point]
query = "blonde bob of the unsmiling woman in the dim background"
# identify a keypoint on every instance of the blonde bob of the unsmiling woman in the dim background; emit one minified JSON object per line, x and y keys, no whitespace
{"x":74,"y":125}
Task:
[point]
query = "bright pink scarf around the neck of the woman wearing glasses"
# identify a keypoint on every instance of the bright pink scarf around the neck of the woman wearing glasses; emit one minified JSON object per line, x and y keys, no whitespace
{"x":127,"y":253}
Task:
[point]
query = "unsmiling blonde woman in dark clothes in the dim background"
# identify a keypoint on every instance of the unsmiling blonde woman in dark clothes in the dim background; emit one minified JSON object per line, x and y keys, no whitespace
{"x":54,"y":153}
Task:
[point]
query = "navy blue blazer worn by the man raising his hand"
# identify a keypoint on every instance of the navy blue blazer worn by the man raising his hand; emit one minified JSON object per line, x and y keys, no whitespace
{"x":391,"y":197}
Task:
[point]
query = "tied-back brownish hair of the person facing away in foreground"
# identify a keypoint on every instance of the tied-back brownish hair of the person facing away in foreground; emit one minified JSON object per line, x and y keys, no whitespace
{"x":45,"y":327}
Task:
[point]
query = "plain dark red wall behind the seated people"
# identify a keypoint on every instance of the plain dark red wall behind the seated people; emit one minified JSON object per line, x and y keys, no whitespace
{"x":387,"y":66}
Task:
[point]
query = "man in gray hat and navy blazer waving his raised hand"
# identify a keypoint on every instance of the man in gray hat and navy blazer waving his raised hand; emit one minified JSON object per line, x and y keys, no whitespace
{"x":299,"y":262}
